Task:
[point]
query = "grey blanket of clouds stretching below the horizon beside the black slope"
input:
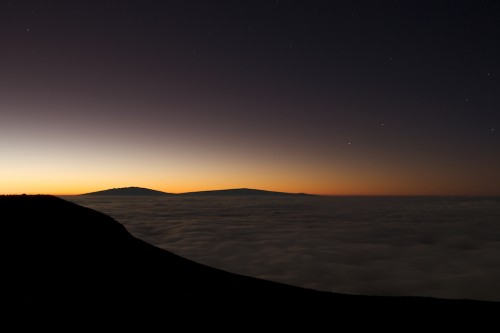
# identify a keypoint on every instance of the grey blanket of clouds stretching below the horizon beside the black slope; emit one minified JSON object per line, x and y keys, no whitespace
{"x":420,"y":246}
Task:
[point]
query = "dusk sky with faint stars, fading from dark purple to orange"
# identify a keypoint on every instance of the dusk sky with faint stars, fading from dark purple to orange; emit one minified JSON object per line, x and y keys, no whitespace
{"x":326,"y":97}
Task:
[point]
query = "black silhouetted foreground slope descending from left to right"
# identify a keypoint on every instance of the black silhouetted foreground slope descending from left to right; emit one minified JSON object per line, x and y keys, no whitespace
{"x":62,"y":257}
